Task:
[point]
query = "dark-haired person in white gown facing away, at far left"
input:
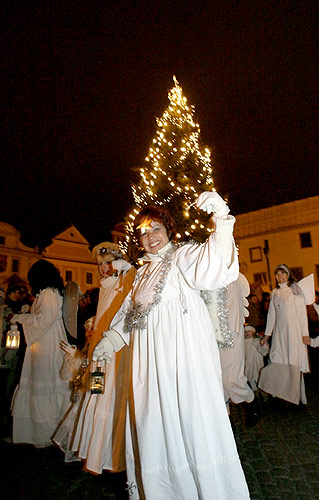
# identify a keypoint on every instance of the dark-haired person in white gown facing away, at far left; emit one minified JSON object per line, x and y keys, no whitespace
{"x":42,"y":397}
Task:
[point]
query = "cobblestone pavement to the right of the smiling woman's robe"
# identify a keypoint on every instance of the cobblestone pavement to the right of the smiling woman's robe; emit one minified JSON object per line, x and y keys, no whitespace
{"x":280,"y":455}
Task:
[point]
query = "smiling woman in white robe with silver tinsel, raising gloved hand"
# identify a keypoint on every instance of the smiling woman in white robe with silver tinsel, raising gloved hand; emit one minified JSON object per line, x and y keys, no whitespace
{"x":179,"y":442}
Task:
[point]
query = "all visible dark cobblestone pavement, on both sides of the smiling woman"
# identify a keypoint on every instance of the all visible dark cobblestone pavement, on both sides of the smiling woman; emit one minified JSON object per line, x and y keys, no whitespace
{"x":280,"y":457}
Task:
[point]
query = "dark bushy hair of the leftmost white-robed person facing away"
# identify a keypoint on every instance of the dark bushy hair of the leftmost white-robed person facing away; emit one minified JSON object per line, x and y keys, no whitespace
{"x":42,"y":274}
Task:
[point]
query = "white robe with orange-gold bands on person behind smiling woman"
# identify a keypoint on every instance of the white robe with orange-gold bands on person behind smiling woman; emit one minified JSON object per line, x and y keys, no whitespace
{"x":99,"y":437}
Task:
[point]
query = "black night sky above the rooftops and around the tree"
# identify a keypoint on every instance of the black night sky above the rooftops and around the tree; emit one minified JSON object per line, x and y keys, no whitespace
{"x":83,"y":81}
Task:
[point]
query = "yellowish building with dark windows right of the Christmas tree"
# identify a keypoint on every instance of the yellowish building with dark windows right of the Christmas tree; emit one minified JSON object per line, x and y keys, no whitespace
{"x":283,"y":234}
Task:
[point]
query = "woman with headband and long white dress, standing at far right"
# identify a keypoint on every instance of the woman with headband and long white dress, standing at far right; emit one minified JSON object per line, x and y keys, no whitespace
{"x":288,"y":325}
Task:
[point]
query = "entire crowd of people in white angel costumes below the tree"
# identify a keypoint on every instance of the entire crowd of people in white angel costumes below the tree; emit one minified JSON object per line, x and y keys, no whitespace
{"x":173,"y":344}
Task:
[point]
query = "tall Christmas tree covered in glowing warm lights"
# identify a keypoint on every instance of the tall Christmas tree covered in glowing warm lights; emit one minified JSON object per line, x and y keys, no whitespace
{"x":176,"y":170}
